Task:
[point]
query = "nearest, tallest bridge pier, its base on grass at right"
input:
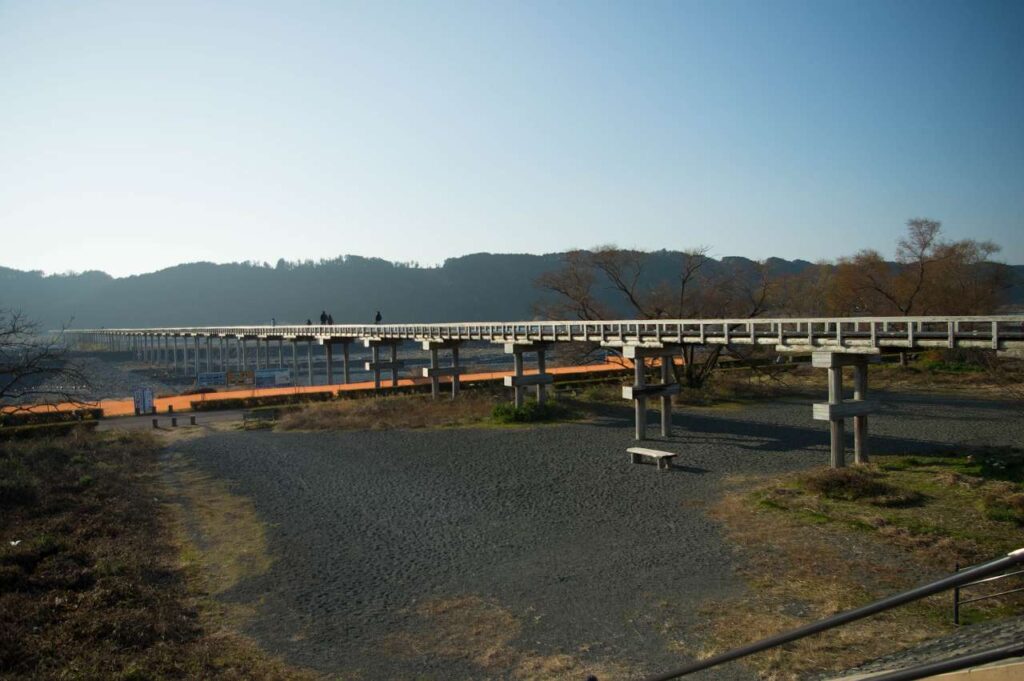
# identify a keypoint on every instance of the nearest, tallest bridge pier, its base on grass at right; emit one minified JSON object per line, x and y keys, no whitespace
{"x":836,"y":410}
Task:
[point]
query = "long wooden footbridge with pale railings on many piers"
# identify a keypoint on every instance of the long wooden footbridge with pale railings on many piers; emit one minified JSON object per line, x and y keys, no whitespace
{"x":835,"y":343}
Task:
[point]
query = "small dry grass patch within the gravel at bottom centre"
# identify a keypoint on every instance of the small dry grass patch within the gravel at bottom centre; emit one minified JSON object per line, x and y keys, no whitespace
{"x":483,"y":633}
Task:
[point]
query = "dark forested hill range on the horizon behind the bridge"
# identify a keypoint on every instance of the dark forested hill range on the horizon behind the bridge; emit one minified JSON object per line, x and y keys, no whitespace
{"x":480,"y":287}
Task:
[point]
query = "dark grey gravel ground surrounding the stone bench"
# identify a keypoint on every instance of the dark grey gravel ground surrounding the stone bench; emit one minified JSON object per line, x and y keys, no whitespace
{"x":594,"y":557}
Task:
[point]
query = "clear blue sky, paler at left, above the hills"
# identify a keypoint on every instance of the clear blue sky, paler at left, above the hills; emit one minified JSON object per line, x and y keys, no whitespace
{"x":137,"y":136}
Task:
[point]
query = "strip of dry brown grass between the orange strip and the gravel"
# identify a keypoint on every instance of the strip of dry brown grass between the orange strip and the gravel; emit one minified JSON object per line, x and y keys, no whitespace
{"x":392,"y":412}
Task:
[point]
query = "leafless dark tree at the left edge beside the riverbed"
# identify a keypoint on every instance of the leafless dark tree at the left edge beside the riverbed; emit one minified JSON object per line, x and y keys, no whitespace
{"x":35,"y":368}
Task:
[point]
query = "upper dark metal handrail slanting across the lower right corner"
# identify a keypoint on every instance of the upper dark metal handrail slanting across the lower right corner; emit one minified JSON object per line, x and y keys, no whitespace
{"x":956,"y":580}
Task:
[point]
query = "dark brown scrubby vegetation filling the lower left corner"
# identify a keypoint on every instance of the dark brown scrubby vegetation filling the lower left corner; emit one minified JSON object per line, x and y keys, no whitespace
{"x":92,"y":580}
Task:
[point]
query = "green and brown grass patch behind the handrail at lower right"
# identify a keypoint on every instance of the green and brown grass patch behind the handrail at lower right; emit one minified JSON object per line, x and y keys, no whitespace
{"x":822,"y":542}
